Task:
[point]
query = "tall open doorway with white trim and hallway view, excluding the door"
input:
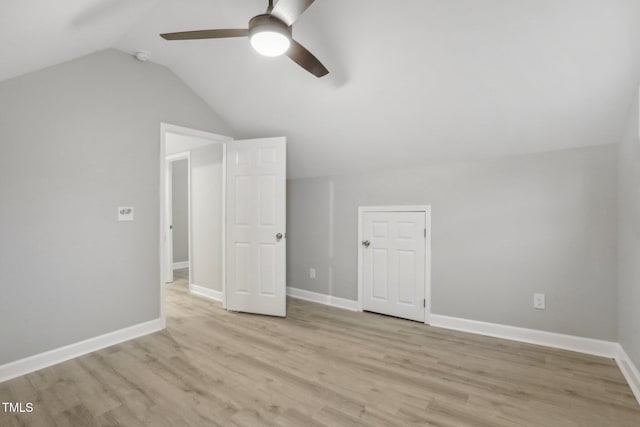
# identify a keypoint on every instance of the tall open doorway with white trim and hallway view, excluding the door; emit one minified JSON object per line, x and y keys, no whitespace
{"x":198,"y":155}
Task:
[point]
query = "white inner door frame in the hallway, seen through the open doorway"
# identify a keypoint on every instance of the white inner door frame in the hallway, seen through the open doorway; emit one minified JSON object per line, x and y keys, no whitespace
{"x":169,"y":212}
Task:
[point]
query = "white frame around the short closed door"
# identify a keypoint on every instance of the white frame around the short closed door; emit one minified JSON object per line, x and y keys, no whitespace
{"x":427,"y":253}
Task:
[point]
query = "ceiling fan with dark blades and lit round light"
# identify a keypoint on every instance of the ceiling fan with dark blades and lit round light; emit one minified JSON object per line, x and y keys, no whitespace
{"x":270,"y":34}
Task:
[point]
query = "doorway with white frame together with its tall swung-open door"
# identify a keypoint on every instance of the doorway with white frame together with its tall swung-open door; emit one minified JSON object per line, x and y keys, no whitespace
{"x":237,"y":219}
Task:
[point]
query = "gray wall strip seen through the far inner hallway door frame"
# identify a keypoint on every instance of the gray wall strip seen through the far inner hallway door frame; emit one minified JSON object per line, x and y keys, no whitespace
{"x":180,"y":209}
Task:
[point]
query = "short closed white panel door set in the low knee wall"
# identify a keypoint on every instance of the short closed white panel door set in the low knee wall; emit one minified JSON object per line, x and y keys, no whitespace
{"x":394,"y":246}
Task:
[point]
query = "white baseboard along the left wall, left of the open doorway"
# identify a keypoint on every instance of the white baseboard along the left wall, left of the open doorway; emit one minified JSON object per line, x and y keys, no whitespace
{"x":62,"y":354}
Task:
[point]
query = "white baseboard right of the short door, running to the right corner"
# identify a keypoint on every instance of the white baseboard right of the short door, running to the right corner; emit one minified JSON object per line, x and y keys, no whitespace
{"x":532,"y":336}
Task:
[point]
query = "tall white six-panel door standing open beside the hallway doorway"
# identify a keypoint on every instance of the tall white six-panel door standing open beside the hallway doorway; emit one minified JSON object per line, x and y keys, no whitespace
{"x":256,"y":226}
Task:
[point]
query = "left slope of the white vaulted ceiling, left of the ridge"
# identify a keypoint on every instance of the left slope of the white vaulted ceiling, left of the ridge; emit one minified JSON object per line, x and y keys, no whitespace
{"x":40,"y":33}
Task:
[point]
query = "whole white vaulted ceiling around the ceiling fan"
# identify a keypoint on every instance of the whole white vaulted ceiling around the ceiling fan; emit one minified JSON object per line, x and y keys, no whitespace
{"x":412,"y":82}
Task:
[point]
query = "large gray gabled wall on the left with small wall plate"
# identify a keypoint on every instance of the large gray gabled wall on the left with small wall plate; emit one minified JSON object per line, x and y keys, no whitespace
{"x":78,"y":140}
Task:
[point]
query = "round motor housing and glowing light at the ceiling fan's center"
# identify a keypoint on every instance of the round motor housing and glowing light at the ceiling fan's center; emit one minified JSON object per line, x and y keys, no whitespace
{"x":269,"y":36}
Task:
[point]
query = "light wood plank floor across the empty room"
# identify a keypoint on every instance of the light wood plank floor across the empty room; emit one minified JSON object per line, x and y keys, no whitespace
{"x":320,"y":366}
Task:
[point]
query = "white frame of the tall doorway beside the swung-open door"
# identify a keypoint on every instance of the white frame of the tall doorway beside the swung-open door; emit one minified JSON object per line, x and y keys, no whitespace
{"x":166,"y":128}
